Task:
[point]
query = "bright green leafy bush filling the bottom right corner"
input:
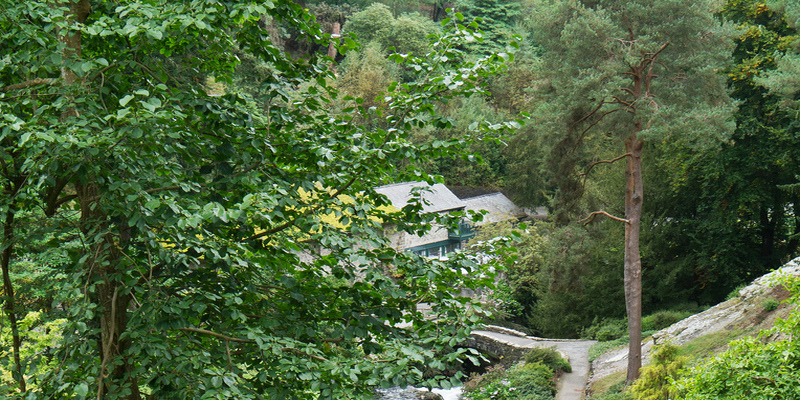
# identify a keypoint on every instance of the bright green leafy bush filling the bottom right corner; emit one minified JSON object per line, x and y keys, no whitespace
{"x":751,"y":368}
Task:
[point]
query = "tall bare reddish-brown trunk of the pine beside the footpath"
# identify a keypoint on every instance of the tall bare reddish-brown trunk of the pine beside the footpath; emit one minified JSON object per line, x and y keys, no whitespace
{"x":633,"y":263}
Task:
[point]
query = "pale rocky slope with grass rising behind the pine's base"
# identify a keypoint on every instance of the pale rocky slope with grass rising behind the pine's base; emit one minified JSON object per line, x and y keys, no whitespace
{"x":710,"y":331}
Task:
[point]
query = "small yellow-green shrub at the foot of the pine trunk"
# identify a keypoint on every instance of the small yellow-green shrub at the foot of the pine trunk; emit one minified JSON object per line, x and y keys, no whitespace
{"x":654,"y":381}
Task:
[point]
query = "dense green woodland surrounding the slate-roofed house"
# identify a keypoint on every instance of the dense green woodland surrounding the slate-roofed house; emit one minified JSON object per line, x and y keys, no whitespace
{"x":165,"y":167}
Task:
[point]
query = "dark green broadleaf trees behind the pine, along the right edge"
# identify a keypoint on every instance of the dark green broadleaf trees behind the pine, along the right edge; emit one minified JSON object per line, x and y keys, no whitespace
{"x":731,"y":197}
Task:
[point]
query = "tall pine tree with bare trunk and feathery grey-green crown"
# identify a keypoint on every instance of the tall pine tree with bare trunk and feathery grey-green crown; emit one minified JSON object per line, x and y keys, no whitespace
{"x":631,"y":71}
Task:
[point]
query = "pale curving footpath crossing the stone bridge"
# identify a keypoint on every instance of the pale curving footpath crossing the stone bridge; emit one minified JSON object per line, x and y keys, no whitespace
{"x":571,"y":386}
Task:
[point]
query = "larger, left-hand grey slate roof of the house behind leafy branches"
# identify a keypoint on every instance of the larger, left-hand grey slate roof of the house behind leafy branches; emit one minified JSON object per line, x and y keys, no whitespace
{"x":438,"y":199}
